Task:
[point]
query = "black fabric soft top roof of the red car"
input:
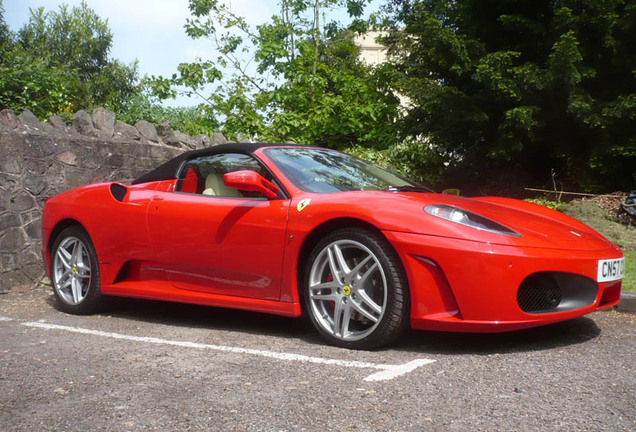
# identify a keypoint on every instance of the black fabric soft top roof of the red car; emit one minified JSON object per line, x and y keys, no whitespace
{"x":169,"y":170}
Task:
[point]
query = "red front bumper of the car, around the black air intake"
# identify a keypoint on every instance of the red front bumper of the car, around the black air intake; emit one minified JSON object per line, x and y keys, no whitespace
{"x":460,"y":285}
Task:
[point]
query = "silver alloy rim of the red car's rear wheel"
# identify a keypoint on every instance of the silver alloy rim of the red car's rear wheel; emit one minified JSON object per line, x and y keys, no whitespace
{"x":71,"y":270}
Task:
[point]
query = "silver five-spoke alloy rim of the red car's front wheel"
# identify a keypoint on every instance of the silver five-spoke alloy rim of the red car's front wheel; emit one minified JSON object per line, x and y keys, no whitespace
{"x":347,"y":290}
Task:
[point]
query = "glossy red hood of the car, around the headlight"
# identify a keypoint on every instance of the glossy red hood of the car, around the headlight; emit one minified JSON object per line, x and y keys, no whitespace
{"x":538,"y":226}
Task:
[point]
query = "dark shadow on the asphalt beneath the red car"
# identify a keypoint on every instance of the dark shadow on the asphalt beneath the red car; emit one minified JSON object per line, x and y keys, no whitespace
{"x":572,"y":332}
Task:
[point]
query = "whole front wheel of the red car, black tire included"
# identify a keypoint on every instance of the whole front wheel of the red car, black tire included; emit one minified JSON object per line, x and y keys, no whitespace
{"x":359,"y":309}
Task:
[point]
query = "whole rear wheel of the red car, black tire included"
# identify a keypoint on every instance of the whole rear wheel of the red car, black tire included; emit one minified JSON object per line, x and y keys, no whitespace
{"x":75,"y":272}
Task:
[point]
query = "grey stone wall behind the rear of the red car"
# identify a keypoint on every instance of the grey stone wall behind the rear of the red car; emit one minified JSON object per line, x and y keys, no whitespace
{"x":42,"y":159}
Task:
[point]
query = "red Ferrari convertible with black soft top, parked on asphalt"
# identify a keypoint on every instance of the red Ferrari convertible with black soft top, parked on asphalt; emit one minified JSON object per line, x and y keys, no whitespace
{"x":296,"y":230}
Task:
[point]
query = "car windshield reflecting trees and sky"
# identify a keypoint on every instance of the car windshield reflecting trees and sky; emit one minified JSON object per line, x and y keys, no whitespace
{"x":326,"y":171}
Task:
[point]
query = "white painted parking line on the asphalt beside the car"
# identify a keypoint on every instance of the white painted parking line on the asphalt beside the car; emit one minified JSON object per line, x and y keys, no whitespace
{"x":386,"y":372}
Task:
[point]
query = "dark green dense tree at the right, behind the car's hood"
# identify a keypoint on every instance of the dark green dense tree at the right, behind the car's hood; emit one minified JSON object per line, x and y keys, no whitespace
{"x":533,"y":84}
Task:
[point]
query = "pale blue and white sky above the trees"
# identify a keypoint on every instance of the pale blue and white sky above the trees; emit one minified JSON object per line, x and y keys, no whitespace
{"x":150,"y":31}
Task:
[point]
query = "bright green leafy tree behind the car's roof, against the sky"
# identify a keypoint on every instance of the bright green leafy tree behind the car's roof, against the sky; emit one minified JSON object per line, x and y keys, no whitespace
{"x":295,"y":77}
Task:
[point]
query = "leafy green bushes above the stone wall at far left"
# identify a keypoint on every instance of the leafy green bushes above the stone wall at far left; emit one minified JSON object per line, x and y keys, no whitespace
{"x":58,"y":62}
